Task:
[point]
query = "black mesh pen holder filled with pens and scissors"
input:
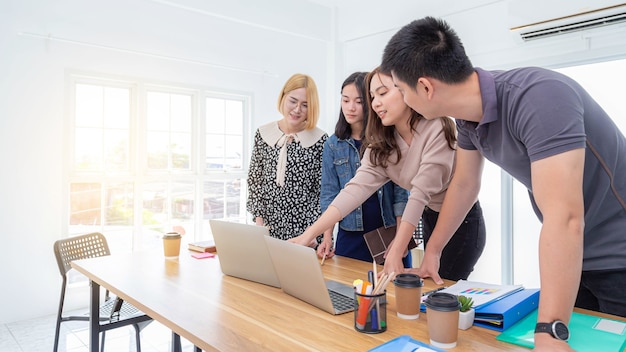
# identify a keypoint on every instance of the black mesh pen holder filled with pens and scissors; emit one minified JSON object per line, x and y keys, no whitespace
{"x":370,"y":312}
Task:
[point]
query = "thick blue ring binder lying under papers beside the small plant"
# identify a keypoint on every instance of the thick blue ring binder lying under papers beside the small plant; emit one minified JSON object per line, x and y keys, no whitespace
{"x":501,"y":314}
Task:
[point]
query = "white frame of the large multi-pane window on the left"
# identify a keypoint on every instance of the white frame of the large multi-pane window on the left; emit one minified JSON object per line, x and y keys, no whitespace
{"x":138,"y":173}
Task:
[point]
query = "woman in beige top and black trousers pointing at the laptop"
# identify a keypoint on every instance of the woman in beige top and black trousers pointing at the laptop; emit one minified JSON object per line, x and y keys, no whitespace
{"x":418,"y":155}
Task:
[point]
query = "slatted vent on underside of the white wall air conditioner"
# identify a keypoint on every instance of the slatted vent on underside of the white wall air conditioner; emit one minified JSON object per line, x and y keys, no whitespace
{"x":608,"y":16}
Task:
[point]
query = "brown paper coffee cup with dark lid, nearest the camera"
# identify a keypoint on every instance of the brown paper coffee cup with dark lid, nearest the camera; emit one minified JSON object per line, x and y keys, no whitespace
{"x":442,"y":313}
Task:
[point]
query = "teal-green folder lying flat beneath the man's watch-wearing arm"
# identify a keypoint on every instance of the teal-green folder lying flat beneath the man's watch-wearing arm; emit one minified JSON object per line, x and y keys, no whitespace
{"x":587,"y":333}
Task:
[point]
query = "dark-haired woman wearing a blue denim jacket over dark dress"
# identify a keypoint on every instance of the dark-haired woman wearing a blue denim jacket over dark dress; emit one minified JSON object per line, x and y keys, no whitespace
{"x":340,"y":160}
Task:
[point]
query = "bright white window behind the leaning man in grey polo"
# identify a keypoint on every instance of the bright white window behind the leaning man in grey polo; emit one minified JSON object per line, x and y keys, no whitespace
{"x":603,"y":80}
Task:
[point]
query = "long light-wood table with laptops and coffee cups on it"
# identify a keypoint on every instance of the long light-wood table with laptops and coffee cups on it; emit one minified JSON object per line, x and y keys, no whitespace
{"x":221,"y":313}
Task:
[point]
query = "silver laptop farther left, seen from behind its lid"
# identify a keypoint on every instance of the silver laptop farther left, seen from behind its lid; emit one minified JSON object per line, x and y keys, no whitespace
{"x":242,"y":251}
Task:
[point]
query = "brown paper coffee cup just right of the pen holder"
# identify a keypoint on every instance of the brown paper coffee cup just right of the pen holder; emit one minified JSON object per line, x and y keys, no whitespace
{"x":408,"y":288}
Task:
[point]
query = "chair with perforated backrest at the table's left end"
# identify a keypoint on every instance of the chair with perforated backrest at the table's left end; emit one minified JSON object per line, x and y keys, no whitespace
{"x":114,"y":312}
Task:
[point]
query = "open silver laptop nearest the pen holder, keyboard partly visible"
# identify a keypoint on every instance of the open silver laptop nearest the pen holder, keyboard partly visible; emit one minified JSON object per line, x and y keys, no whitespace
{"x":300,"y":275}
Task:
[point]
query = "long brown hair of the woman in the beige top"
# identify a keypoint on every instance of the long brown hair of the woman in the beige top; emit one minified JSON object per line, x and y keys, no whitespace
{"x":381,"y":139}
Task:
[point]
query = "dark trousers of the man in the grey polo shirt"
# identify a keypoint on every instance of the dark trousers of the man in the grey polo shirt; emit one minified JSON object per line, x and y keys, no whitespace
{"x":603,"y":291}
